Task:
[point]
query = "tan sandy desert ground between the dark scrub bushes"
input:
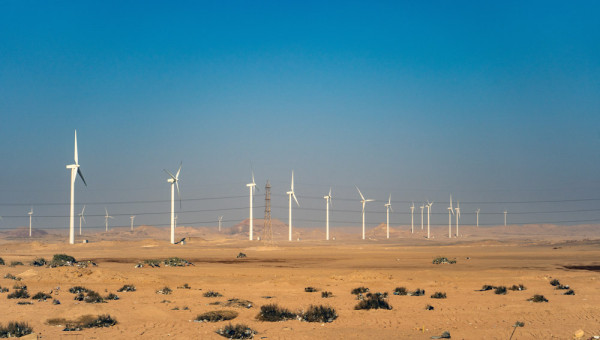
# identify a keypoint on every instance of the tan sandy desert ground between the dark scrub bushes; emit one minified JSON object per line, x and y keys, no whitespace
{"x":283,"y":271}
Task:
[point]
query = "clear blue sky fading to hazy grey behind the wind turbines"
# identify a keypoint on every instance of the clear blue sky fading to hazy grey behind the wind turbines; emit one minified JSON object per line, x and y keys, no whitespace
{"x":497,"y":104}
